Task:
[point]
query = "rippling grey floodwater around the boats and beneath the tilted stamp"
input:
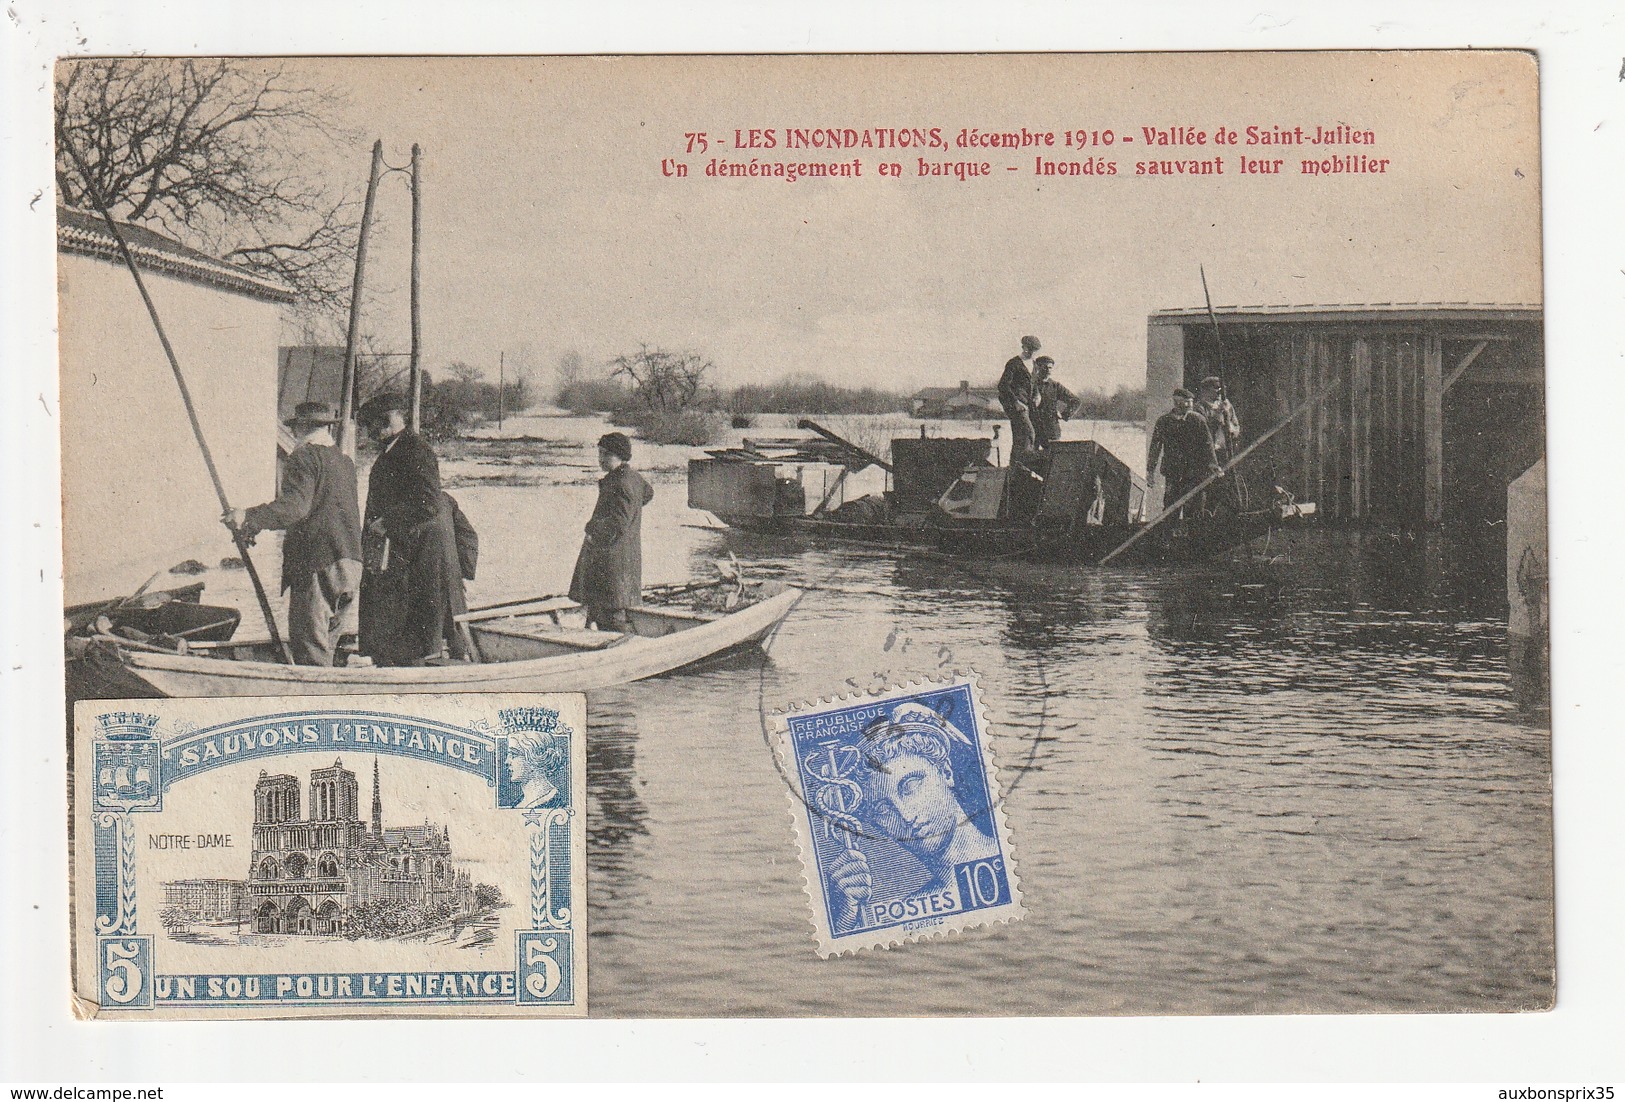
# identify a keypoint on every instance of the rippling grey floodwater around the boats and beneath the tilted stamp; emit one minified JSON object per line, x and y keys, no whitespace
{"x":1294,"y":781}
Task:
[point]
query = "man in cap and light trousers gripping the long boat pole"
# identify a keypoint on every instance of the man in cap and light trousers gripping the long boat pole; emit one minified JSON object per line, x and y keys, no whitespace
{"x":316,"y":506}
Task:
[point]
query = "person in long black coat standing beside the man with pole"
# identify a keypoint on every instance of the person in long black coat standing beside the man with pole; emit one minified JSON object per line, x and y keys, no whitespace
{"x":414,"y":584}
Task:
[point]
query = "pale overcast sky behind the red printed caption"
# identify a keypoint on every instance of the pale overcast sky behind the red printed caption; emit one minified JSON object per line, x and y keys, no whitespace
{"x":548,"y":225}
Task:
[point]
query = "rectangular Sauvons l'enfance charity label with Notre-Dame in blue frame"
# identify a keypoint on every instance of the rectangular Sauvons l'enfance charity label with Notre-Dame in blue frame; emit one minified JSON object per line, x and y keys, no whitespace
{"x":360,"y":857}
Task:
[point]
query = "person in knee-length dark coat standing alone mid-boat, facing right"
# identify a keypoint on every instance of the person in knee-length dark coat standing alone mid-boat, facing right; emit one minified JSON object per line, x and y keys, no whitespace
{"x":610,"y":570}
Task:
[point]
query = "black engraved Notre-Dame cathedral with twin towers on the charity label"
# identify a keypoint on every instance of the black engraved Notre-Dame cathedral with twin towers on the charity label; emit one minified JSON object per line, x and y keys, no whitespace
{"x":308,"y":874}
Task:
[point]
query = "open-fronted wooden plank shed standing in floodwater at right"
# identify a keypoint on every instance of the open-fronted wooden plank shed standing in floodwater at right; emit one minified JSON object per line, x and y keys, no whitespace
{"x":1431,"y":410}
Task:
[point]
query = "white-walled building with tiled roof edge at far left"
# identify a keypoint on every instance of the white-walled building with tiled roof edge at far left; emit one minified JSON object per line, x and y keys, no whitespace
{"x":136,"y":493}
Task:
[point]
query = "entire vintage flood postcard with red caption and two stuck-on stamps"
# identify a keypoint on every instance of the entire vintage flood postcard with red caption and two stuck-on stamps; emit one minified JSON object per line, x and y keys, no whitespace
{"x":1197,"y":402}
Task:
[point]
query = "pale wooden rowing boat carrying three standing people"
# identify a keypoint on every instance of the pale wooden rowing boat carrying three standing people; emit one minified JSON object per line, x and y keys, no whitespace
{"x":534,"y":646}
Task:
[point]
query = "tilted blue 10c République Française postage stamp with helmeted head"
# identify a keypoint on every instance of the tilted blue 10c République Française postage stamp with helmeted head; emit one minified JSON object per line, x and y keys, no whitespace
{"x":899,"y":817}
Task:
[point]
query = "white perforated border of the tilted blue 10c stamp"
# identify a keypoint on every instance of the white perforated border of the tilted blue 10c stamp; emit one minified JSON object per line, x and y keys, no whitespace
{"x":795,"y":800}
